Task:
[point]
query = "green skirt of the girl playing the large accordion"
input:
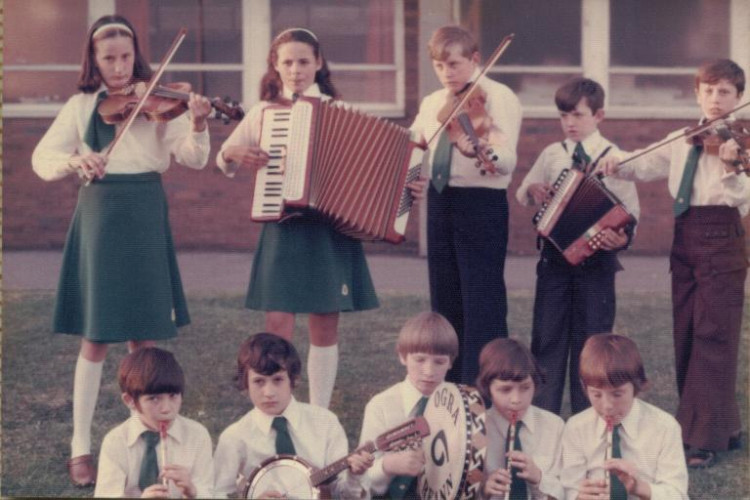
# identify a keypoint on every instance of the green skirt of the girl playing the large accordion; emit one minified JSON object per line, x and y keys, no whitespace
{"x":303,"y":265}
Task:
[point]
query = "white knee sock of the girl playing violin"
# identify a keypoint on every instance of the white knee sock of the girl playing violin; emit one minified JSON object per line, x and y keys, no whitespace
{"x":86,"y":382}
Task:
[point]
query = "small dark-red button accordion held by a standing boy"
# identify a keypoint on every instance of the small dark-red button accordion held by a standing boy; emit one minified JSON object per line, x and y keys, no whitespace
{"x":581,"y":208}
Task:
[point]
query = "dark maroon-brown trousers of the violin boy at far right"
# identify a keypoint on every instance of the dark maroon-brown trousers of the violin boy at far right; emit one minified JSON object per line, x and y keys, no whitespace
{"x":709,"y":267}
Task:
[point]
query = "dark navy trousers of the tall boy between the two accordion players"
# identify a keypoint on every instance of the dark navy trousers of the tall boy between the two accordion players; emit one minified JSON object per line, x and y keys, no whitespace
{"x":467,"y":235}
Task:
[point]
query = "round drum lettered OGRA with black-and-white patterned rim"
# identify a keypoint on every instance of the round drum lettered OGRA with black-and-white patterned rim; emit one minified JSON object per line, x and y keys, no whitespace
{"x":456,"y":447}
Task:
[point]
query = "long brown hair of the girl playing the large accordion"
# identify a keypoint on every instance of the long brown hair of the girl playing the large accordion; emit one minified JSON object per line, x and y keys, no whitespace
{"x":271,"y":85}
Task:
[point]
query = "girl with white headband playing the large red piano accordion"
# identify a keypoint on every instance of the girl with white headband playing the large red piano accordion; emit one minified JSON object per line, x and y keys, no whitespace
{"x":301,"y":264}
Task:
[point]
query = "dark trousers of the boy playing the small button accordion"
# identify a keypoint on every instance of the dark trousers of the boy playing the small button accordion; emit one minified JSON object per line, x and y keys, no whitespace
{"x":571,"y":304}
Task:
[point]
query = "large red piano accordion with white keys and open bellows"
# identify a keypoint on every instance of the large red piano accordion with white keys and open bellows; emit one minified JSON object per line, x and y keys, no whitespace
{"x":348,"y":166}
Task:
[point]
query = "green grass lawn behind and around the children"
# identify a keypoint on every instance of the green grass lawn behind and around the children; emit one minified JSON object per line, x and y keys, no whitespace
{"x":37,"y":378}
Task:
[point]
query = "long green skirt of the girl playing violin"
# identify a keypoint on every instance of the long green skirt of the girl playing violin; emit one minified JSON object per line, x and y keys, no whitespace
{"x":119,"y":279}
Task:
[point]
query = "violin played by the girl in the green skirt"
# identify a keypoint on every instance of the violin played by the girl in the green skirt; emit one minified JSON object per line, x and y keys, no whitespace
{"x":164,"y":103}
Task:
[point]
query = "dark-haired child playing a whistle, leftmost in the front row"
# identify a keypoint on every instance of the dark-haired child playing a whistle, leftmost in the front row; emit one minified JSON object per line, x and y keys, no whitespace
{"x":131,"y":461}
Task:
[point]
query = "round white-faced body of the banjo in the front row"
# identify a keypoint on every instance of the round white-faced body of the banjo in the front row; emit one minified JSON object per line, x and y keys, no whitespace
{"x":285,"y":474}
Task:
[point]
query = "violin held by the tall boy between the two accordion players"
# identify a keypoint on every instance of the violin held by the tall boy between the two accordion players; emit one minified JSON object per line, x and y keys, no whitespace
{"x":471,"y":120}
